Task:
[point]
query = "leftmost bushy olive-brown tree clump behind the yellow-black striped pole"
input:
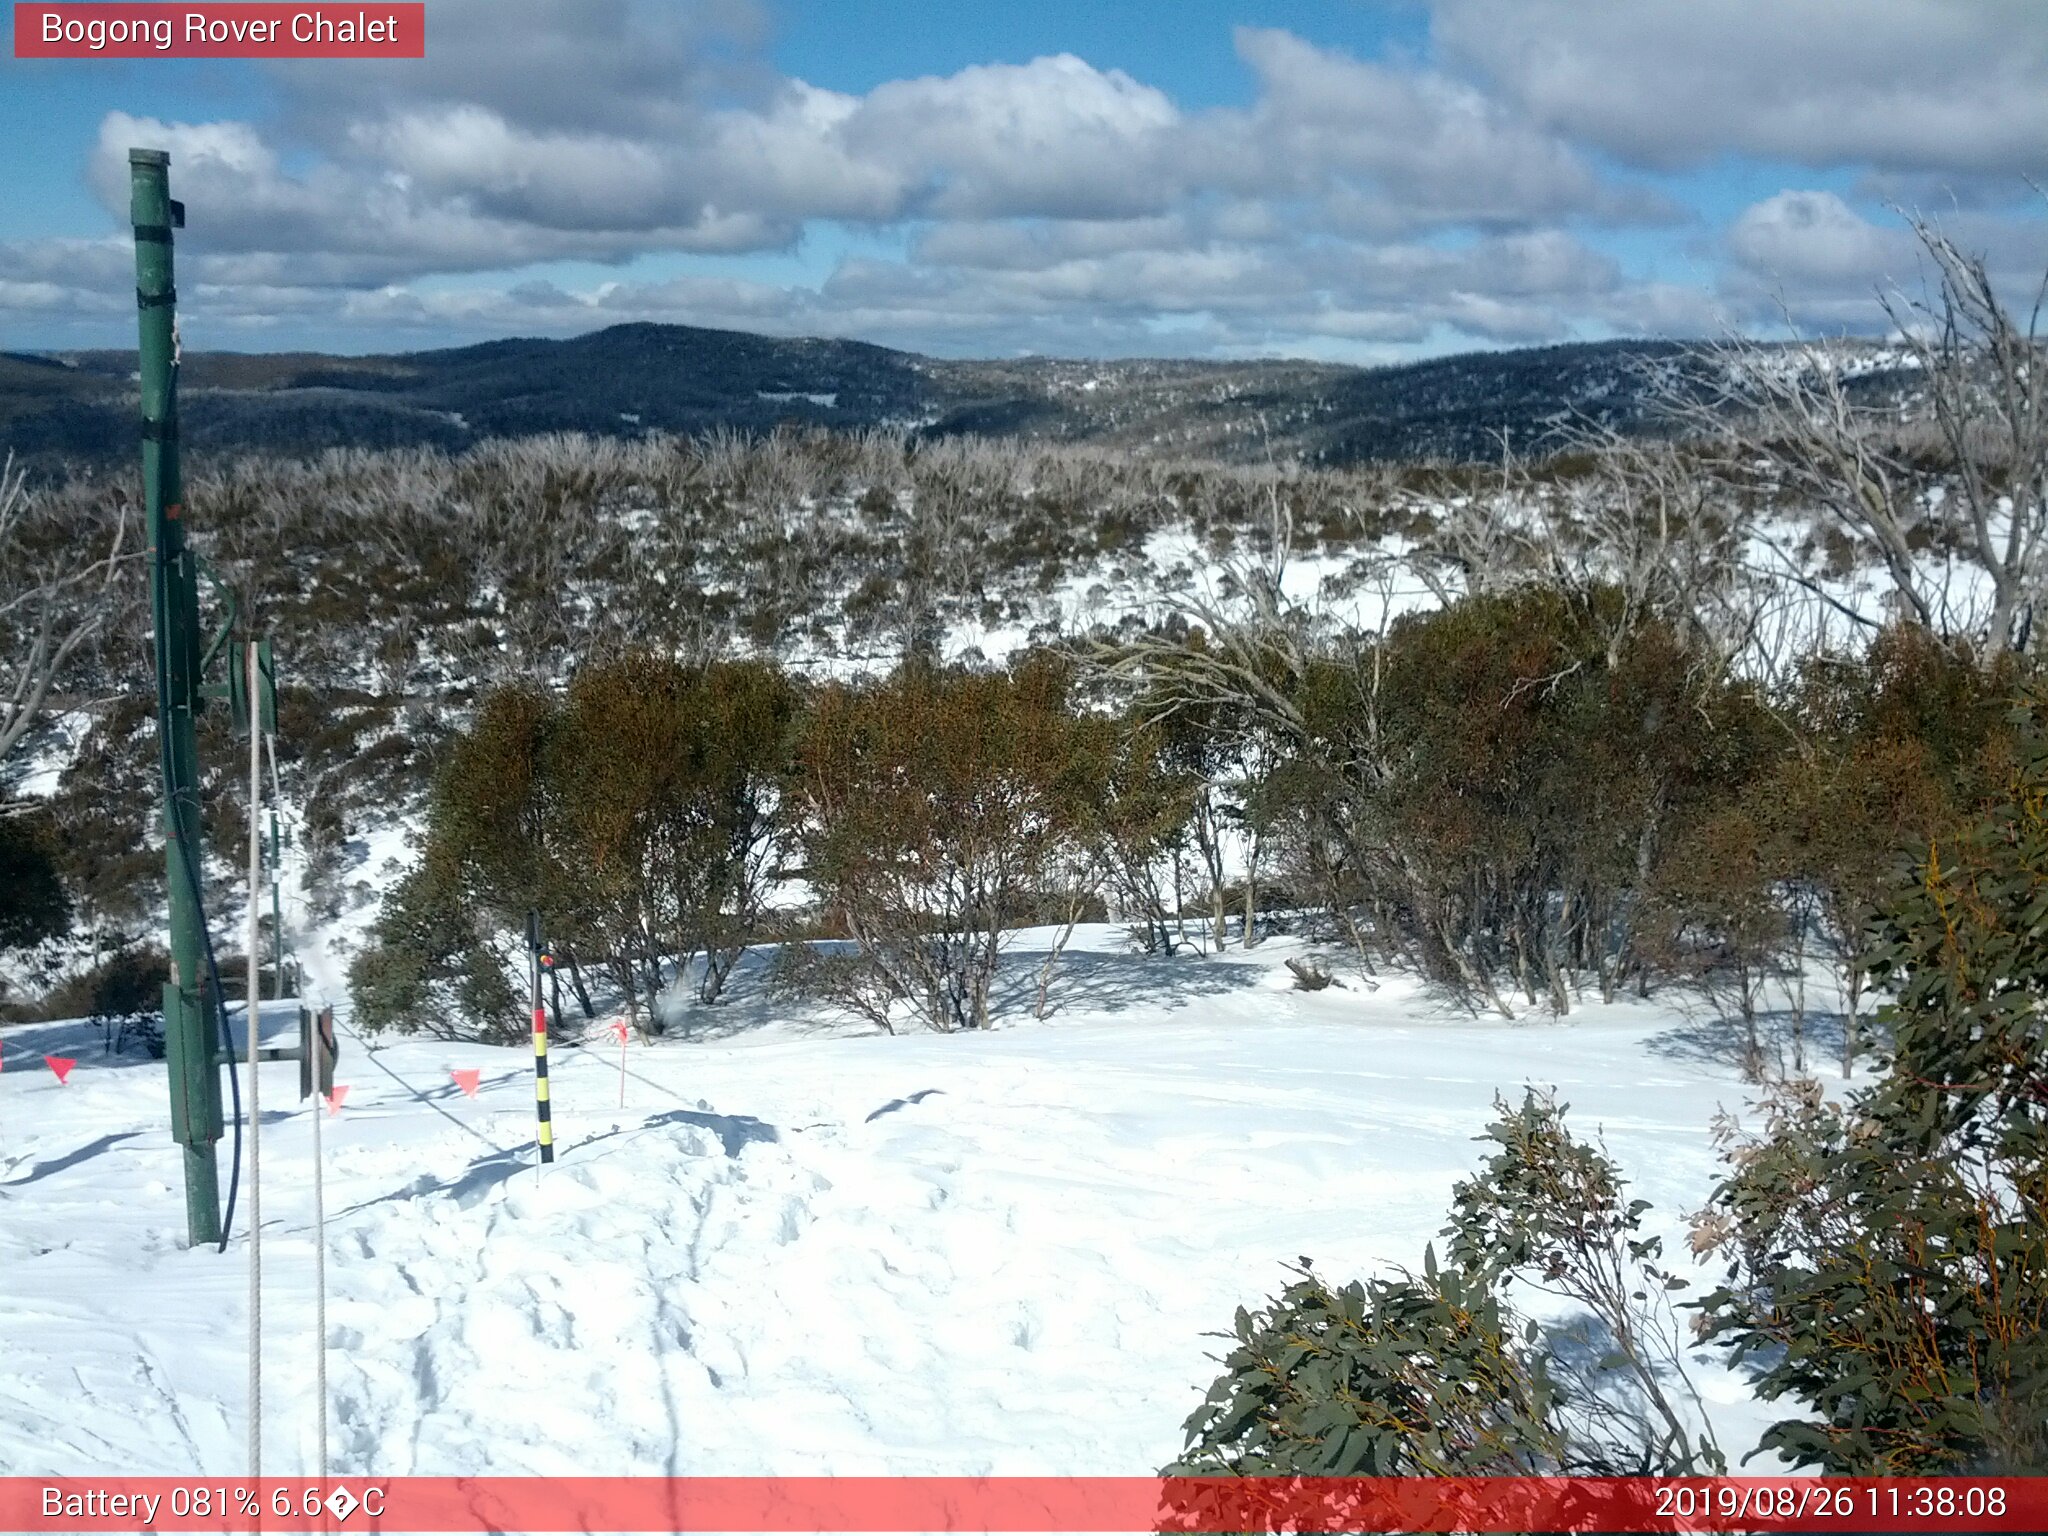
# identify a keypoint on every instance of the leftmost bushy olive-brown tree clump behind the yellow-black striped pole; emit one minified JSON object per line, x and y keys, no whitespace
{"x":640,"y":816}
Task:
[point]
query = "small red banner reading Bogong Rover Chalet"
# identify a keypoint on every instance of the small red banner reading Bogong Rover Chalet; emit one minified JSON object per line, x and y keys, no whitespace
{"x":220,"y":32}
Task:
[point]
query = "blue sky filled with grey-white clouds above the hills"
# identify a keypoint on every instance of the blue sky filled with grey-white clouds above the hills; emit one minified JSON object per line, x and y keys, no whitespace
{"x":1312,"y":177}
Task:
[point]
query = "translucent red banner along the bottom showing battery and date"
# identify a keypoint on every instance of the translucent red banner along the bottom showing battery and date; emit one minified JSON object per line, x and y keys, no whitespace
{"x":1025,"y":1504}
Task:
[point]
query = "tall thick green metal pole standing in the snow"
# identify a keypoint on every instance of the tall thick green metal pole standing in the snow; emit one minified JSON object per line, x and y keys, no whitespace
{"x":189,"y":1035}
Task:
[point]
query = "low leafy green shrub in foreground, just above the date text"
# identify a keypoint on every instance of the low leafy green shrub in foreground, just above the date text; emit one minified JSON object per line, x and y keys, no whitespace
{"x":1435,"y":1375}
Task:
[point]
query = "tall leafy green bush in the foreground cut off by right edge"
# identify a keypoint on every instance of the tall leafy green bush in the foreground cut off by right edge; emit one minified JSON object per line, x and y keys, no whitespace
{"x":1889,"y":1256}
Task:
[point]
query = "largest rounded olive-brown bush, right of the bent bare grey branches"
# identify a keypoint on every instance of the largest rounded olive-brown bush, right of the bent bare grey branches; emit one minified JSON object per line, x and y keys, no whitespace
{"x":1494,"y":781}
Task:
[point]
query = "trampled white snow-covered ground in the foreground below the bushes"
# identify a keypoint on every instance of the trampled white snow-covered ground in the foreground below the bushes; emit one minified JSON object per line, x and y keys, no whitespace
{"x":796,"y":1248}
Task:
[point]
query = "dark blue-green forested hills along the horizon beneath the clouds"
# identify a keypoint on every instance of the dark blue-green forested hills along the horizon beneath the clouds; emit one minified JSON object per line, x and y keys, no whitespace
{"x":642,"y":378}
